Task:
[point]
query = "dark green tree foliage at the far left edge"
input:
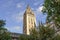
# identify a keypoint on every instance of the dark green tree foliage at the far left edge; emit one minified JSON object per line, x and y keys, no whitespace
{"x":4,"y":35}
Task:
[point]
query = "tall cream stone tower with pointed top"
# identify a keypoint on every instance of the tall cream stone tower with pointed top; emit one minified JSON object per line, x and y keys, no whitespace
{"x":28,"y":21}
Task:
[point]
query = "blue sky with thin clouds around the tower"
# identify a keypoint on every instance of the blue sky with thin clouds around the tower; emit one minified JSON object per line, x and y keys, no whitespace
{"x":12,"y":11}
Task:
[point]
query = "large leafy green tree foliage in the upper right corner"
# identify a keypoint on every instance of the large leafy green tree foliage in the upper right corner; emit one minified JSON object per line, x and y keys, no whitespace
{"x":52,"y":9}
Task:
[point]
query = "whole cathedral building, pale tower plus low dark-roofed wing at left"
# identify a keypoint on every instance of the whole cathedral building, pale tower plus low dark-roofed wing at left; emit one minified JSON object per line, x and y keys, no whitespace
{"x":29,"y":22}
